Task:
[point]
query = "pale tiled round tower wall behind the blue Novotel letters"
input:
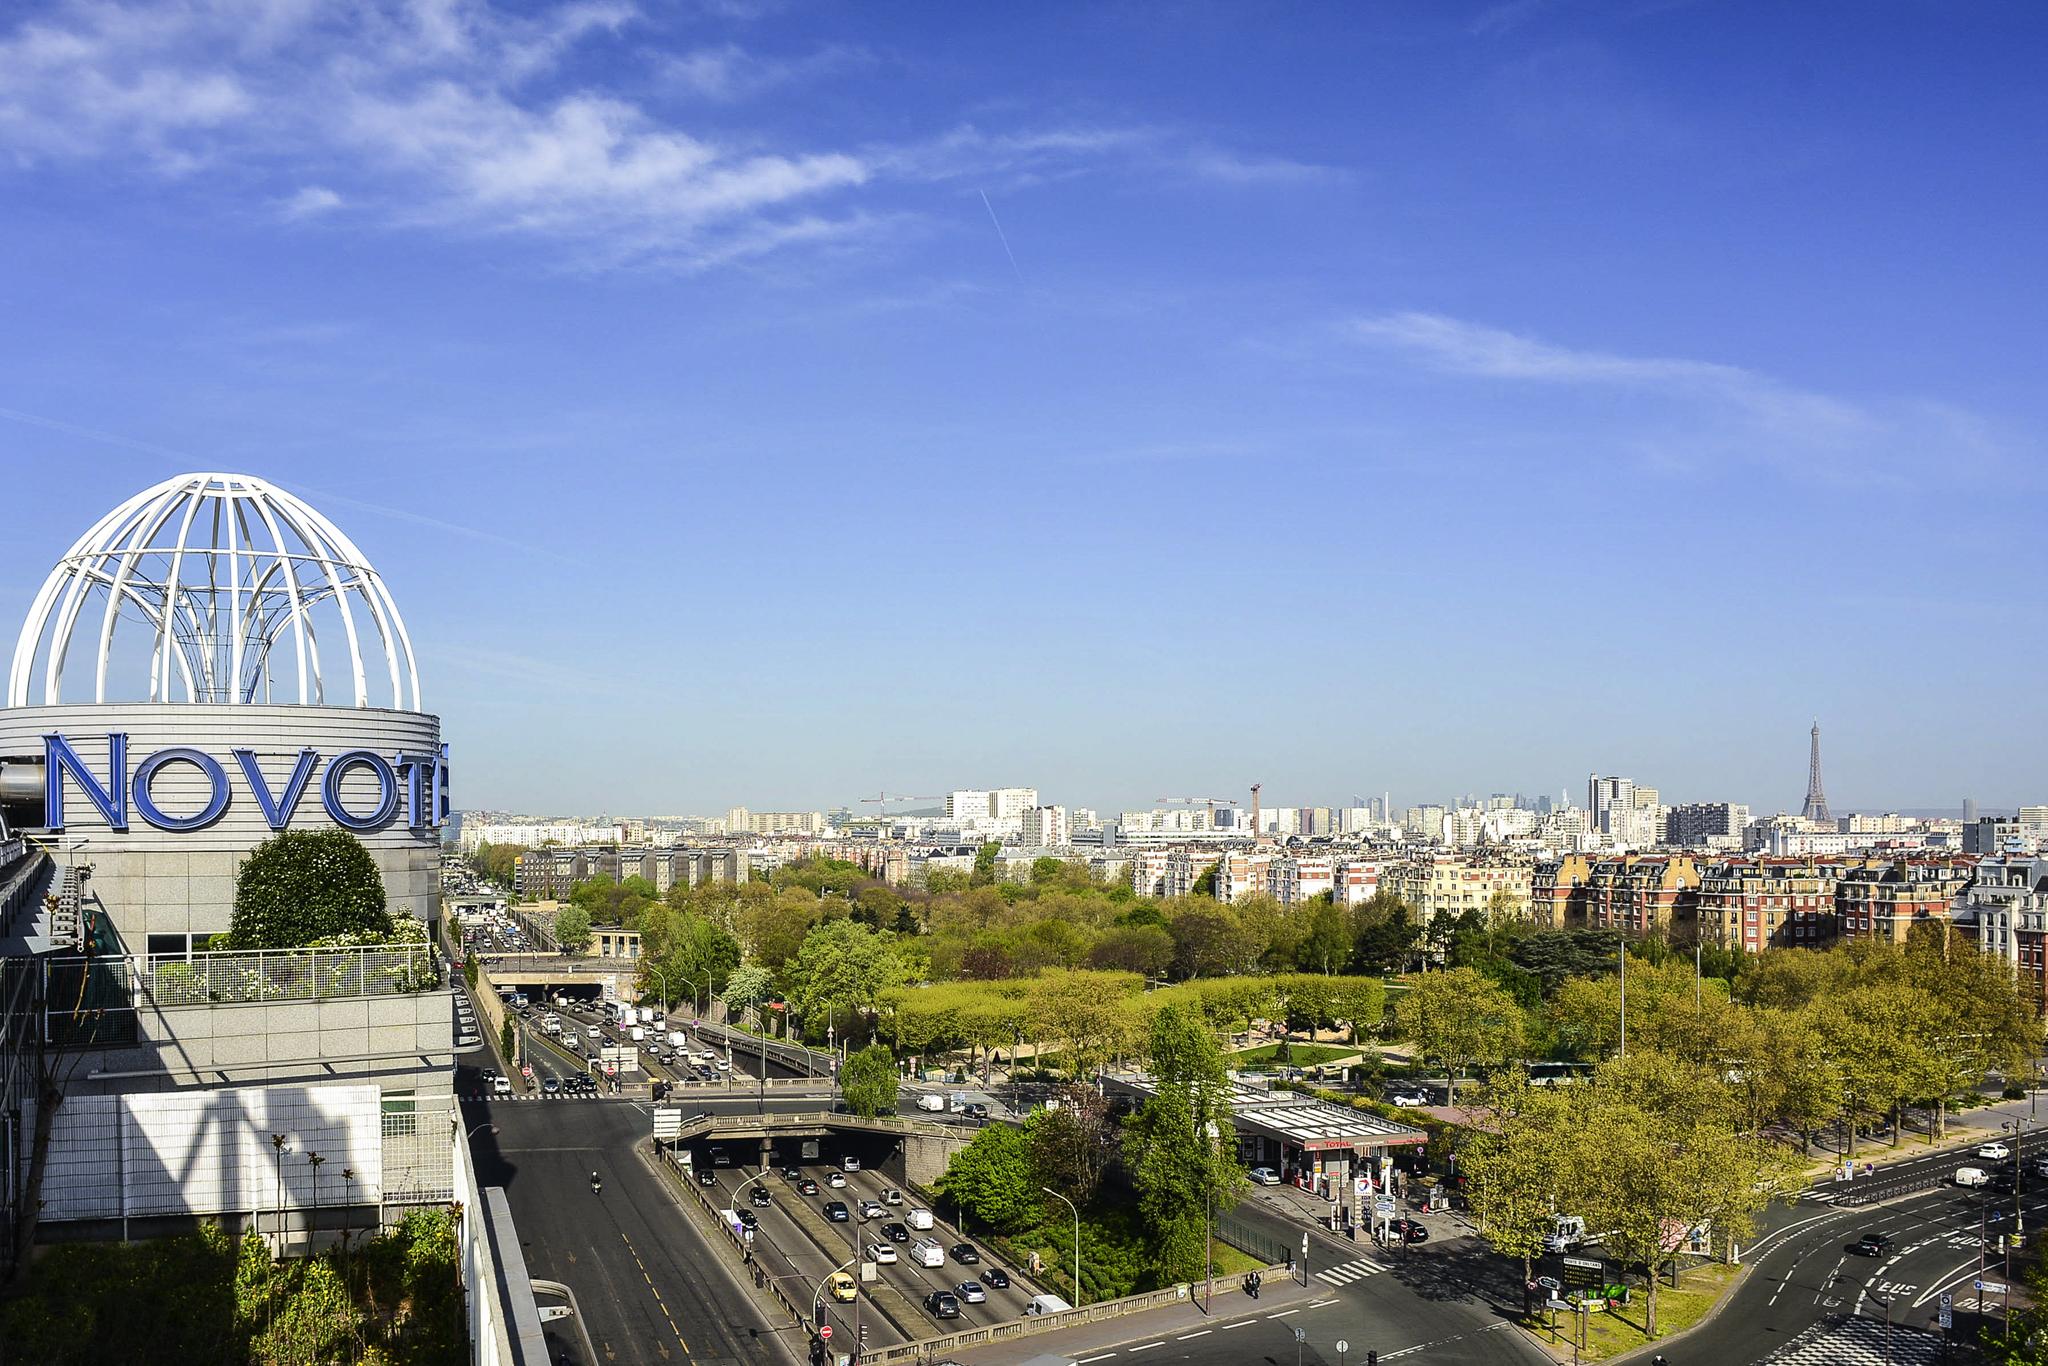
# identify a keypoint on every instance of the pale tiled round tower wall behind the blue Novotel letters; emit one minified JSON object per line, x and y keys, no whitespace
{"x":157,"y":882}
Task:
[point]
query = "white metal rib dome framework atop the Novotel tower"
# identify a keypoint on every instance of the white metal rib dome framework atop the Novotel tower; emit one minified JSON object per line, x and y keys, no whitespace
{"x":220,"y":570}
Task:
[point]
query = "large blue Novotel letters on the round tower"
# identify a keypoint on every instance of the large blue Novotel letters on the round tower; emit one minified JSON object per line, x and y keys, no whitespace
{"x":413,"y":787}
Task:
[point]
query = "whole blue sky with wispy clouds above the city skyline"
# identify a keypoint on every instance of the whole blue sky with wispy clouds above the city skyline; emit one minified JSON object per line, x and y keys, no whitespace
{"x":777,"y":402}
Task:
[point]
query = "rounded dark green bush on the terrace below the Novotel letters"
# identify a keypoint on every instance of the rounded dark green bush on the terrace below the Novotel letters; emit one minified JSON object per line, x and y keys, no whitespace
{"x":300,"y":886}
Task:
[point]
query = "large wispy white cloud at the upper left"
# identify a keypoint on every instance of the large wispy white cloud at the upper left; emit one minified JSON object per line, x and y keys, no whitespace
{"x":460,"y":116}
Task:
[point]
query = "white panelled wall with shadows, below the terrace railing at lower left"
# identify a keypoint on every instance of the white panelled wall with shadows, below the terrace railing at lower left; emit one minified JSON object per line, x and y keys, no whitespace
{"x":210,"y":1152}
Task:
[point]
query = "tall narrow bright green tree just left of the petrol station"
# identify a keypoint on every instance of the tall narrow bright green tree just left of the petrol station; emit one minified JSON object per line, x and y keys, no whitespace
{"x":1181,"y":1148}
